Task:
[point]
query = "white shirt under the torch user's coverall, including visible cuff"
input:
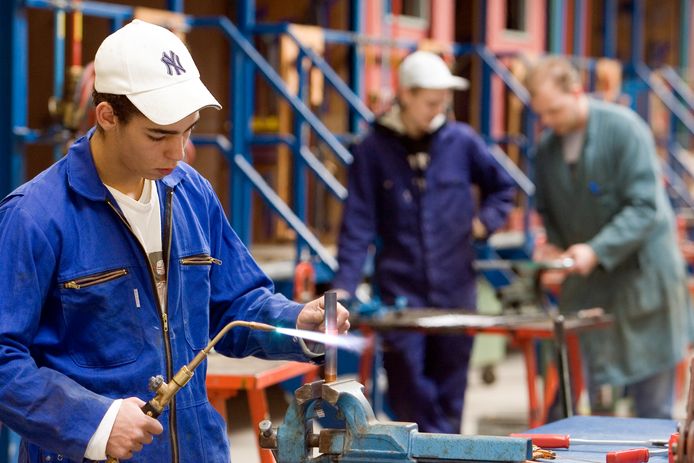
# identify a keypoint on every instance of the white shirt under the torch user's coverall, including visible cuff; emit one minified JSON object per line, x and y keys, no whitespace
{"x":144,"y":218}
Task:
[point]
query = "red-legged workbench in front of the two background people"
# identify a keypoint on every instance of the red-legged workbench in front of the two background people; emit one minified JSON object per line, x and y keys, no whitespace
{"x":522,"y":330}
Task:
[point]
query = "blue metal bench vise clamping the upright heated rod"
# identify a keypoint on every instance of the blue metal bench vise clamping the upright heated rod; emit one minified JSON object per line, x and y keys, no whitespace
{"x":365,"y":439}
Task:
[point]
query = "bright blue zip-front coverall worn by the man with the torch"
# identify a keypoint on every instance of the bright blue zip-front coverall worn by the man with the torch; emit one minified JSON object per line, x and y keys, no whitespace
{"x":80,"y":322}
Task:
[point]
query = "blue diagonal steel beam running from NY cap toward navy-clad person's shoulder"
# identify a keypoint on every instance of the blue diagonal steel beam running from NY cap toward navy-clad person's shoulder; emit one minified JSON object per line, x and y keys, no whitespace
{"x":276,"y":82}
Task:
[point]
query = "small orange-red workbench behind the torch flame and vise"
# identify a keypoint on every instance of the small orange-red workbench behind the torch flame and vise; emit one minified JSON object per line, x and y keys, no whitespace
{"x":227,"y":376}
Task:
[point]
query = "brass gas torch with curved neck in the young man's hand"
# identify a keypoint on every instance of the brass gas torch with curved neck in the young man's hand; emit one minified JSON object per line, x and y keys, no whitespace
{"x":164,"y":391}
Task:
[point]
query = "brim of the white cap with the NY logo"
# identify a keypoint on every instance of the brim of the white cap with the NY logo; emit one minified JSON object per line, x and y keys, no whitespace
{"x":170,"y":104}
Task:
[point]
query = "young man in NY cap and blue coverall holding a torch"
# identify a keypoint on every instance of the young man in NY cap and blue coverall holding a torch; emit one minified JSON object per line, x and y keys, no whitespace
{"x":119,"y":264}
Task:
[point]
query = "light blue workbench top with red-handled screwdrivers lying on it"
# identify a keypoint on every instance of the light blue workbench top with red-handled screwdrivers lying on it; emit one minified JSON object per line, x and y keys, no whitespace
{"x":606,"y":428}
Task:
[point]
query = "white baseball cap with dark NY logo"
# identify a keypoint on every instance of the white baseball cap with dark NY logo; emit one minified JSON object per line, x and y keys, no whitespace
{"x":154,"y":69}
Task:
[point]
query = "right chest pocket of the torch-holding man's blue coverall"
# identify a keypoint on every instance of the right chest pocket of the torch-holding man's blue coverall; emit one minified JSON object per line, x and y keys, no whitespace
{"x":195,"y":288}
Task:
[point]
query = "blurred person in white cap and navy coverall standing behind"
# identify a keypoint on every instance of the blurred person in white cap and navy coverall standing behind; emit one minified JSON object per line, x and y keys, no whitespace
{"x":410,"y":188}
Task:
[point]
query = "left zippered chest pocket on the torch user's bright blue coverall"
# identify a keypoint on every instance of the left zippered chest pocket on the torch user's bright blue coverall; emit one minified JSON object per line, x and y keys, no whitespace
{"x":102,"y":318}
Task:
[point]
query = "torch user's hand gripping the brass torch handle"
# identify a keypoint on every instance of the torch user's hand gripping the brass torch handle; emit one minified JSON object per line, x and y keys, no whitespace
{"x":131,"y":430}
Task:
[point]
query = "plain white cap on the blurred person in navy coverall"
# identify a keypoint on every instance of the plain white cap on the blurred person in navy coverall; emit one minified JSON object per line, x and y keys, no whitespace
{"x":423,"y":69}
